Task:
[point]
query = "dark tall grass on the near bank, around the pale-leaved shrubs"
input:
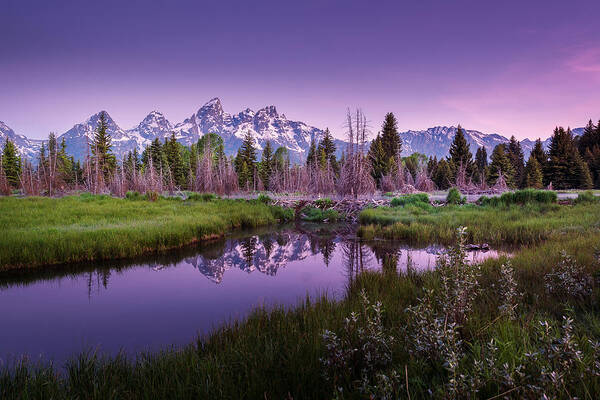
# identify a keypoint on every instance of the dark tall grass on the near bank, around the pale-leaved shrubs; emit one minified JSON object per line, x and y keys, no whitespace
{"x":278,"y":353}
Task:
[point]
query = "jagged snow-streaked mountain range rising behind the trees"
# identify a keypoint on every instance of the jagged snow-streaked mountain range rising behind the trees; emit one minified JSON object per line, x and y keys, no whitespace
{"x":264,"y":124}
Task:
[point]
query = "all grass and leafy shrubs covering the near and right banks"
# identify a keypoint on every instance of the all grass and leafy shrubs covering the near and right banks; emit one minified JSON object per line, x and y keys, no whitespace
{"x":527,"y":327}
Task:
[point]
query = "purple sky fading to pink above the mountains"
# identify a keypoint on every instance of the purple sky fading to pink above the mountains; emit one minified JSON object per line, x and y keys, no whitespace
{"x":511,"y":67}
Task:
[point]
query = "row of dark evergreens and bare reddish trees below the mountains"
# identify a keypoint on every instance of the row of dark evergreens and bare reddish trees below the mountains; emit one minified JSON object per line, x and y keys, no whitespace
{"x":569,"y":162}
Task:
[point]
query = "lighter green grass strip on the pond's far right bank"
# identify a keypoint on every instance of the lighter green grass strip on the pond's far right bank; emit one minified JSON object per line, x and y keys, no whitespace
{"x":500,"y":225}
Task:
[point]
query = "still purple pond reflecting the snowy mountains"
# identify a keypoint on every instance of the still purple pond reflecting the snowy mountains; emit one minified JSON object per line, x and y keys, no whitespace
{"x":154,"y":302}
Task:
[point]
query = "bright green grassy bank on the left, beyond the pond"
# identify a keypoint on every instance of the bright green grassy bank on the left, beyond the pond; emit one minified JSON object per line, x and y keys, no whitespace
{"x":39,"y":231}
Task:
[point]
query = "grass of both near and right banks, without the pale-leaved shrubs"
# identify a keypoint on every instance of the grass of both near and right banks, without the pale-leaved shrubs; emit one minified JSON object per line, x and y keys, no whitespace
{"x":276,"y":354}
